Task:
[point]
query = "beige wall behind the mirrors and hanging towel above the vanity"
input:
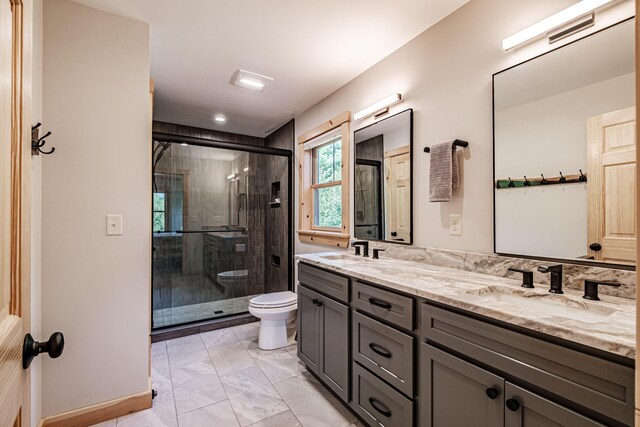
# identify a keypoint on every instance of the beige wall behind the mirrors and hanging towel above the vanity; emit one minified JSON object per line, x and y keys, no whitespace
{"x":445,"y":75}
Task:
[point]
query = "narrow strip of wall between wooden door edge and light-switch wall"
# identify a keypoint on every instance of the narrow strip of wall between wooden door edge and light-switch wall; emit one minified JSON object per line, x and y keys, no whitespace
{"x":36,"y":210}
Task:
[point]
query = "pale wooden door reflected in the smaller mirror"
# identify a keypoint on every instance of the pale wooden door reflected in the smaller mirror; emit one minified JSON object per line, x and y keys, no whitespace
{"x":398,"y":180}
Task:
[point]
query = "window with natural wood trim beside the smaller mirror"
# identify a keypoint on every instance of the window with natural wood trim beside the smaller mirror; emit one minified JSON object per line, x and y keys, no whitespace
{"x":324,"y":193}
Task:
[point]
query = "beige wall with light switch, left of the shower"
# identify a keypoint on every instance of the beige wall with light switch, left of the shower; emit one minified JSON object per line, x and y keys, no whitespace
{"x":95,"y":289}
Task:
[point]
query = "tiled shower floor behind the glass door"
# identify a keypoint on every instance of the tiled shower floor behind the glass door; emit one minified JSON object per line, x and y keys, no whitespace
{"x":203,"y":311}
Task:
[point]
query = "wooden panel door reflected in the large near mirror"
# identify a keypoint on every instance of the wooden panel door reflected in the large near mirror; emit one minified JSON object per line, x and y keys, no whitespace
{"x":611,"y":186}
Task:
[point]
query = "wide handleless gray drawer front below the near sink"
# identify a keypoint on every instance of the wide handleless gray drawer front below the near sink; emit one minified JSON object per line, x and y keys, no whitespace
{"x":593,"y":383}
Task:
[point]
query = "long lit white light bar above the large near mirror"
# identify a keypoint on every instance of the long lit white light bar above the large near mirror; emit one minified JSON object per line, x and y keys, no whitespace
{"x":567,"y":15}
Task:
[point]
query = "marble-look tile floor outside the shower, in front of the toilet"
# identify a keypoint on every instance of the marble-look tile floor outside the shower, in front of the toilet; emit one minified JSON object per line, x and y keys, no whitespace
{"x":221,"y":378}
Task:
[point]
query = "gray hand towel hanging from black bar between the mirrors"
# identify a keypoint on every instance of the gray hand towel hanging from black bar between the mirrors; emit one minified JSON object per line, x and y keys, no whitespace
{"x":443,"y":172}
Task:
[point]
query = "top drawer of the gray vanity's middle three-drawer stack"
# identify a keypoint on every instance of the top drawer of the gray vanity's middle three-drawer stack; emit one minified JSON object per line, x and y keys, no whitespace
{"x":386,"y":305}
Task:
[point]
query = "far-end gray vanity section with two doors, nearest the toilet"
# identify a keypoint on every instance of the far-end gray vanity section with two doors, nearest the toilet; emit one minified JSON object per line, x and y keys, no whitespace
{"x":323,"y":329}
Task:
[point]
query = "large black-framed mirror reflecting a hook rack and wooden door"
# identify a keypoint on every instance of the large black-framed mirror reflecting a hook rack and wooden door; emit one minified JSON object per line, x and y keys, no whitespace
{"x":564,"y":165}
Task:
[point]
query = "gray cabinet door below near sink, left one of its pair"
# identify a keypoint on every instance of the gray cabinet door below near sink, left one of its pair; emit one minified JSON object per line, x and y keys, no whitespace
{"x":457,"y":393}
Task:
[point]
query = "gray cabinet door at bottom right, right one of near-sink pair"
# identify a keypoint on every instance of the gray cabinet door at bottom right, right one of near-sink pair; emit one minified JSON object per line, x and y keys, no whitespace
{"x":526,"y":409}
